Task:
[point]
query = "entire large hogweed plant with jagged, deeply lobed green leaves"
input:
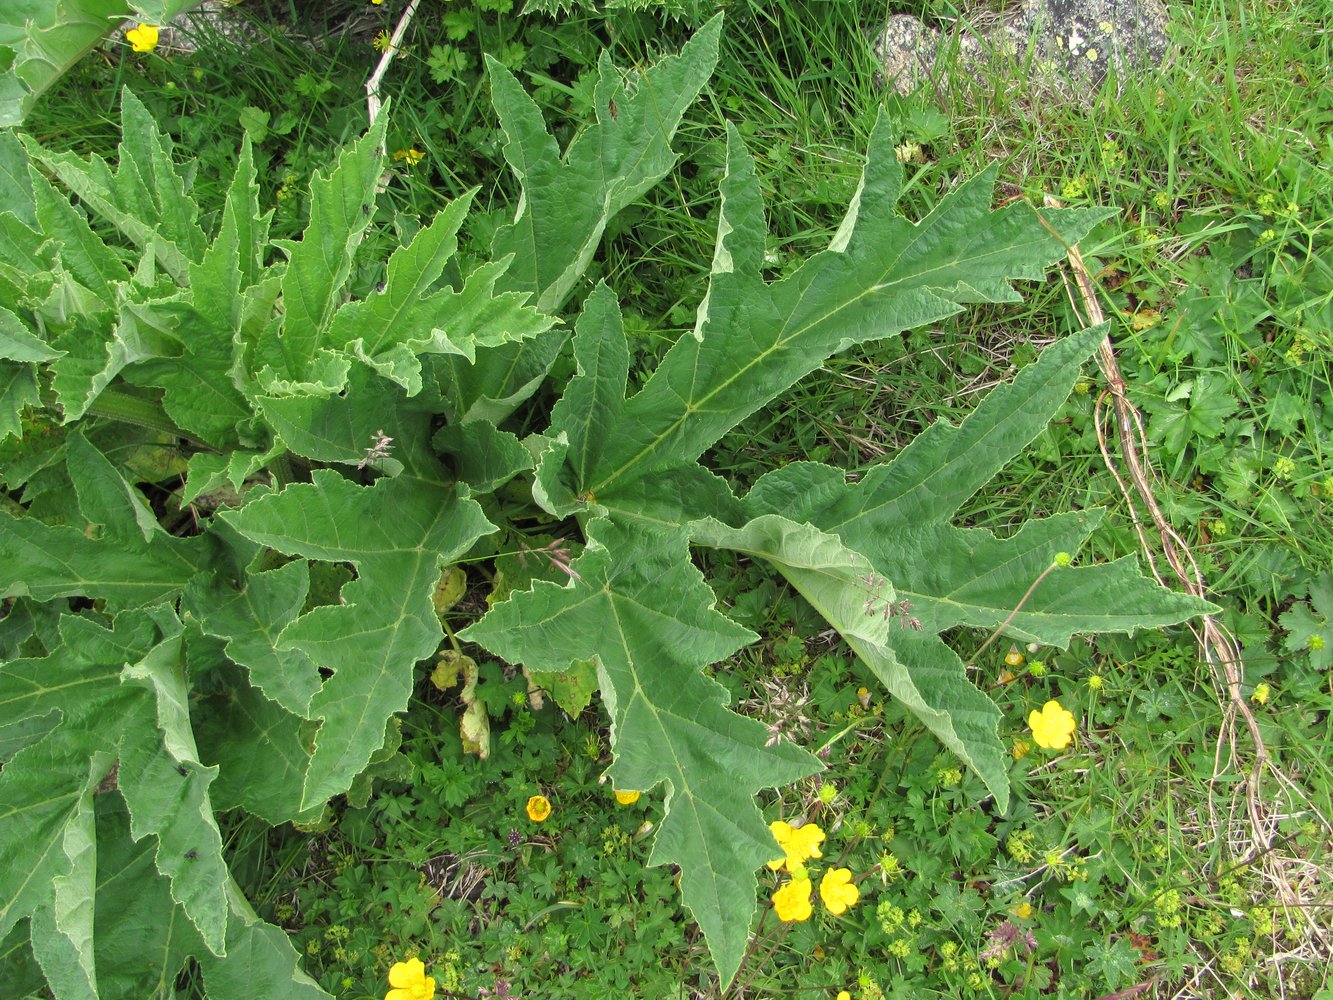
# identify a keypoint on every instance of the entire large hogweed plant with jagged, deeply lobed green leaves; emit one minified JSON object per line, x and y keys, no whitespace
{"x":245,"y":642}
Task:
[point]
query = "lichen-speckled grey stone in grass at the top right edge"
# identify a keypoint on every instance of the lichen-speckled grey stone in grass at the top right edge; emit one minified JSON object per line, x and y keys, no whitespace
{"x":1072,"y":43}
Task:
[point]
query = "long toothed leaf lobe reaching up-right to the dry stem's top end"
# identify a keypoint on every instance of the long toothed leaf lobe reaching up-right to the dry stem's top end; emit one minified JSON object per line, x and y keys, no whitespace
{"x":883,"y":275}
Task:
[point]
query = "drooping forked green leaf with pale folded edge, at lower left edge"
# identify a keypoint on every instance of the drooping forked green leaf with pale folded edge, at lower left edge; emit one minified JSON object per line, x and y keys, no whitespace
{"x":130,"y":713}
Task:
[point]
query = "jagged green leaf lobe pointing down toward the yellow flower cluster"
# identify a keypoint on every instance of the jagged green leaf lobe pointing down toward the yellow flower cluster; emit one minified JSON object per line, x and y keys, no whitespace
{"x":646,"y":614}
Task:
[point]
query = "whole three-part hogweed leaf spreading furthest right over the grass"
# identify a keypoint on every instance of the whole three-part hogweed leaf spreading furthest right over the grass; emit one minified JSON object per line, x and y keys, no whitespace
{"x":630,"y":467}
